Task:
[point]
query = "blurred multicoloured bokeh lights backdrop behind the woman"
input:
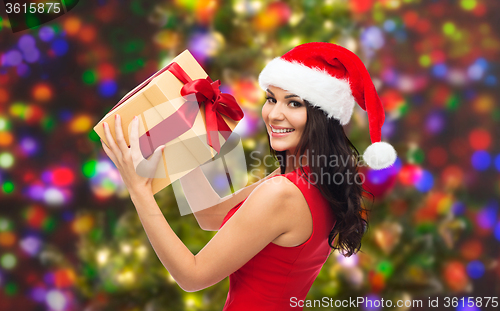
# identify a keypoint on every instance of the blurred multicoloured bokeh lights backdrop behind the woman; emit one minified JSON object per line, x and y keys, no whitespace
{"x":433,"y":63}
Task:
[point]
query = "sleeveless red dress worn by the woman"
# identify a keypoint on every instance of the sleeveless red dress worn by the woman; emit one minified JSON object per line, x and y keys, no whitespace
{"x":278,"y":277}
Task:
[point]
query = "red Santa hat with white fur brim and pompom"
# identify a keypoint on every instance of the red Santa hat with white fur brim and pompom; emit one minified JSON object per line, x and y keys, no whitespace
{"x":333,"y":79}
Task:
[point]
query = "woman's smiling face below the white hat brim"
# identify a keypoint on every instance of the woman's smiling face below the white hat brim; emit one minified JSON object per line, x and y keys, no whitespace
{"x":285,"y":115}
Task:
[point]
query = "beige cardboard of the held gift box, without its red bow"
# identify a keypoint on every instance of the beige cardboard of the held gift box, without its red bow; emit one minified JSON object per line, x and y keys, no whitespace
{"x":157,"y":102}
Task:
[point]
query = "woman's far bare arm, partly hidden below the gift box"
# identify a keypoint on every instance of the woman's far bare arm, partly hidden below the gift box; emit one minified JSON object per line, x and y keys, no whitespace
{"x":208,"y":208}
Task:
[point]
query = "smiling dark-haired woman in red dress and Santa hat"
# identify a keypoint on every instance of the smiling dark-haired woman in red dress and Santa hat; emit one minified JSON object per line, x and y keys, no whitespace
{"x":273,"y":243}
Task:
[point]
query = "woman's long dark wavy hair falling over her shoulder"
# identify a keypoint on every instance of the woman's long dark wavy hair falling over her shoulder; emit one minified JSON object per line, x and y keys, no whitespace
{"x":324,"y":139}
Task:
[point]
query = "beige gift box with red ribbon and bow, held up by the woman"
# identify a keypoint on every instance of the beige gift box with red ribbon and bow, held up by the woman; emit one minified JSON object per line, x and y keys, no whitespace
{"x":182,"y":108}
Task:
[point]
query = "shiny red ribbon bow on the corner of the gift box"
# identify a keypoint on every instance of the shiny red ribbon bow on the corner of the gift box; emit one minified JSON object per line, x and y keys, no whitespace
{"x":216,"y":104}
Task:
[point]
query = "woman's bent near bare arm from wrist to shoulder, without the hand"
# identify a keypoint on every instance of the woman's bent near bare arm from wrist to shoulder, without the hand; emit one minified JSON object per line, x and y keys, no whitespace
{"x":264,"y":216}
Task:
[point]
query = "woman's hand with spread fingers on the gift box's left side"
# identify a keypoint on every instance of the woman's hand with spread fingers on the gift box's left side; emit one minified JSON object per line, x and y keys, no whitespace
{"x":136,"y":172}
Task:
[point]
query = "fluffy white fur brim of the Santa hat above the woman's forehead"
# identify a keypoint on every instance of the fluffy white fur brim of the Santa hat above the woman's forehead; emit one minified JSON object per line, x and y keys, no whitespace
{"x":332,"y":95}
